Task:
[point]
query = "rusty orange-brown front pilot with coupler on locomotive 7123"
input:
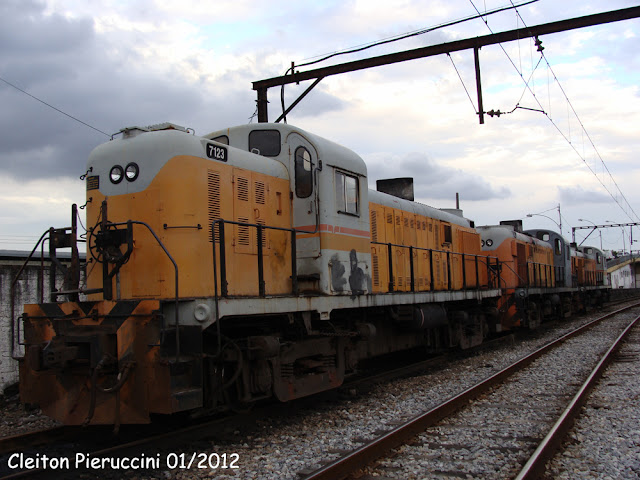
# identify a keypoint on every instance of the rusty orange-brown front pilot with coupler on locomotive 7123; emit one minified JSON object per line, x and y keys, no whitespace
{"x":99,"y":375}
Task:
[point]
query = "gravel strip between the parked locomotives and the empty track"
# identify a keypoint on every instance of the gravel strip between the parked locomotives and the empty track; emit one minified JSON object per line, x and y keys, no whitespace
{"x":281,"y":449}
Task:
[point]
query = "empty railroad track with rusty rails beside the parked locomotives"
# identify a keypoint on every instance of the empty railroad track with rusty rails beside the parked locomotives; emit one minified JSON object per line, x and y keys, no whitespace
{"x":513,"y":420}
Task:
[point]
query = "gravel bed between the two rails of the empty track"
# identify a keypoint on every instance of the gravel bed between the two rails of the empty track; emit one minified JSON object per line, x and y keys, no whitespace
{"x":495,"y":435}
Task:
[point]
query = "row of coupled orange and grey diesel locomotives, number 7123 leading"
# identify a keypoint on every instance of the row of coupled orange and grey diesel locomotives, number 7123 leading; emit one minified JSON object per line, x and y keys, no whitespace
{"x":254,"y":262}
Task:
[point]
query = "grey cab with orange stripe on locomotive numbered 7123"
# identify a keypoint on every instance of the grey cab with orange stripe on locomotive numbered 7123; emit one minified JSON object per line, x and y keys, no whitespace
{"x":329,"y":204}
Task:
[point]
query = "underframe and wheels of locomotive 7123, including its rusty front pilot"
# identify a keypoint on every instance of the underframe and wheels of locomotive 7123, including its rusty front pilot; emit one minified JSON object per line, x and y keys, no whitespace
{"x":77,"y":353}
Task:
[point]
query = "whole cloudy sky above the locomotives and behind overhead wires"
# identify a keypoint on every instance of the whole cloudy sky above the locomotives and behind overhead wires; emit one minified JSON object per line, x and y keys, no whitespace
{"x":117,"y":63}
